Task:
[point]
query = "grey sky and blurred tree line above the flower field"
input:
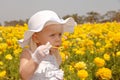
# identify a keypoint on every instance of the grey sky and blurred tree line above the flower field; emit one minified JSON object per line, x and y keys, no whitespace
{"x":19,"y":11}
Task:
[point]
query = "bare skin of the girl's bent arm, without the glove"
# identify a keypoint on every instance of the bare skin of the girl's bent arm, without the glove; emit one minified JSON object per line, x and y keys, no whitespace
{"x":27,"y":65}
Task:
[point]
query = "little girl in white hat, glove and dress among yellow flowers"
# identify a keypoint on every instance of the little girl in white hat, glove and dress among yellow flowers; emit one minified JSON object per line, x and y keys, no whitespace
{"x":41,"y":59}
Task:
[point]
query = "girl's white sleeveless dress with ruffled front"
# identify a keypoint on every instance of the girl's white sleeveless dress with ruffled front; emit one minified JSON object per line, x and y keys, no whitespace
{"x":48,"y":69}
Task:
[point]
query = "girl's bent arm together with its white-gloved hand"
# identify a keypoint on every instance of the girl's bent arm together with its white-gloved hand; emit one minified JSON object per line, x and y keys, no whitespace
{"x":29,"y":63}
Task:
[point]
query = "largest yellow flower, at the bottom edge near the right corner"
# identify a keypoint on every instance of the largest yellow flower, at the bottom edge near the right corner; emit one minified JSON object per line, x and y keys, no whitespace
{"x":104,"y":73}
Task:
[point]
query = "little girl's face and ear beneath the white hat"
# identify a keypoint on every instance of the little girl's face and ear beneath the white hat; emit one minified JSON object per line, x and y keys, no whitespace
{"x":51,"y":33}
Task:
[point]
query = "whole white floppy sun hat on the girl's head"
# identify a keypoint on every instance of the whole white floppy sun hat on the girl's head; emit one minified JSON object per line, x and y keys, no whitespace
{"x":42,"y":18}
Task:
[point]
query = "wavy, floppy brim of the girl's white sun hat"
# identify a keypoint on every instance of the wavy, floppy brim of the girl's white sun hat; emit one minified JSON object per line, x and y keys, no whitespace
{"x":68,"y":26}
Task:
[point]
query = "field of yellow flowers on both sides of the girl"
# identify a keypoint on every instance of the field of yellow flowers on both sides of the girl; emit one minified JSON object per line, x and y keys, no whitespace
{"x":91,"y":52}
